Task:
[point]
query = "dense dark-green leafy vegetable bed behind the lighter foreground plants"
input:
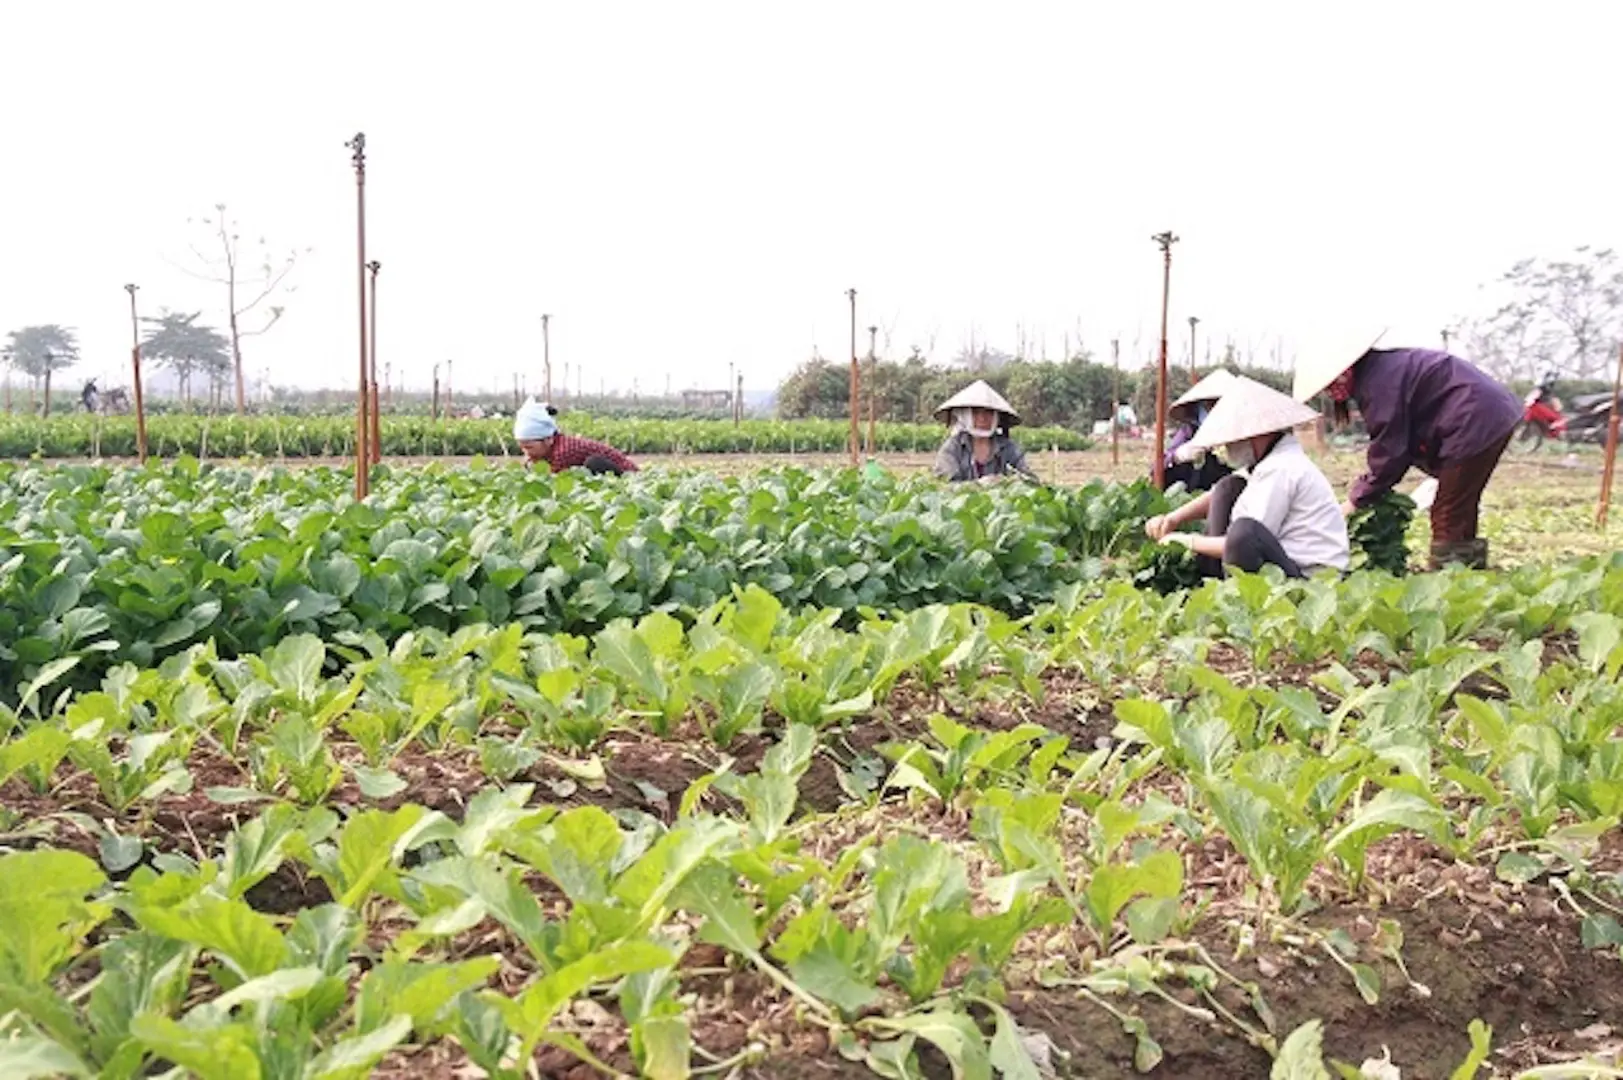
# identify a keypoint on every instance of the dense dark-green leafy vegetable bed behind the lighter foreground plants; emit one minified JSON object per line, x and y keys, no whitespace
{"x":116,"y":564}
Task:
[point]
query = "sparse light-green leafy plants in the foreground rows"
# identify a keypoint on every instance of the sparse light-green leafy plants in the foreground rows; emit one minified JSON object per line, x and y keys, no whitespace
{"x":134,"y":956}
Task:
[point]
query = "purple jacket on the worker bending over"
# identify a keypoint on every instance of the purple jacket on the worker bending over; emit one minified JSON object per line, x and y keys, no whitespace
{"x":1427,"y":410}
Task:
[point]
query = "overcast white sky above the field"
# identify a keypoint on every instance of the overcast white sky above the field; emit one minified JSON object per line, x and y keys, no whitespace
{"x":686,"y":186}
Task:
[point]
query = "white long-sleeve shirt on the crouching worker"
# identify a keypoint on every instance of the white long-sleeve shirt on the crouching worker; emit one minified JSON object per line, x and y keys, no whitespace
{"x":1293,"y":498}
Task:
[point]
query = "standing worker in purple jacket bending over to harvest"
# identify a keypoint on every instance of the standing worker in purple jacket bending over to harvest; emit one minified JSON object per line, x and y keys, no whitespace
{"x":1429,"y":410}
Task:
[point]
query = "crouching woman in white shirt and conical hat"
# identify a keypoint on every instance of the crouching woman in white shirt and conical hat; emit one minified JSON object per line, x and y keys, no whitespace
{"x":1281,"y":512}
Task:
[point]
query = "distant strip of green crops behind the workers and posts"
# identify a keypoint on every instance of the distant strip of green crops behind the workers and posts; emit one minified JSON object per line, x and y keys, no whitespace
{"x":173,"y":436}
